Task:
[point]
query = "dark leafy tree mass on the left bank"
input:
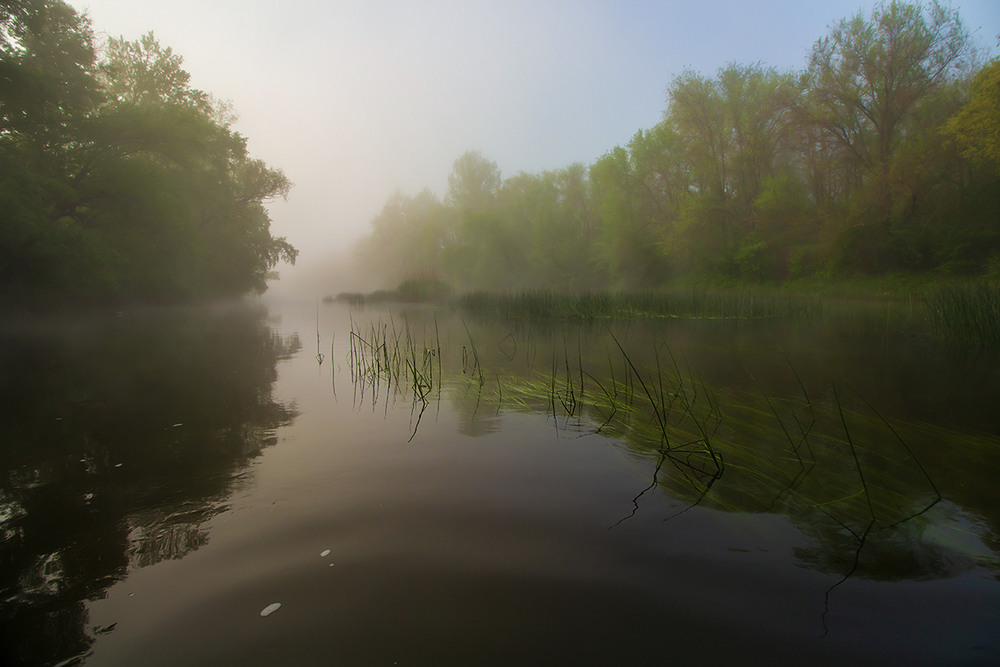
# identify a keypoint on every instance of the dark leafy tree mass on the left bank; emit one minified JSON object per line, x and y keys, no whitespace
{"x":118,"y":180}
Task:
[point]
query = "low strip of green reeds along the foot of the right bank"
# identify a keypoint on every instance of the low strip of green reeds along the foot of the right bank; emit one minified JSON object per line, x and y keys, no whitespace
{"x":965,"y":312}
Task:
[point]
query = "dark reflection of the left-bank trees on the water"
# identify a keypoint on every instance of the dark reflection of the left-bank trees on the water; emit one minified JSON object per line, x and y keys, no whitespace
{"x":124,"y":434}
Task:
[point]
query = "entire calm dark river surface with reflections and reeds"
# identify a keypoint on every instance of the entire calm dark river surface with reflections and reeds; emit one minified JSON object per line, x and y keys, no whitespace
{"x":798,"y":495}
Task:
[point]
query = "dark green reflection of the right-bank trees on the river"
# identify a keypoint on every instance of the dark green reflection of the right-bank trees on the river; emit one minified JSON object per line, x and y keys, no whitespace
{"x":747,"y":418}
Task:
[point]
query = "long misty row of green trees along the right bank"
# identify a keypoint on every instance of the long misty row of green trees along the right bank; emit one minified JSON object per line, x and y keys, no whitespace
{"x":881,"y":156}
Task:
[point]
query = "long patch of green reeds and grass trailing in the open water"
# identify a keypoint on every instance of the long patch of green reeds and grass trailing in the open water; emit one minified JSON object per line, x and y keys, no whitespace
{"x":778,"y":454}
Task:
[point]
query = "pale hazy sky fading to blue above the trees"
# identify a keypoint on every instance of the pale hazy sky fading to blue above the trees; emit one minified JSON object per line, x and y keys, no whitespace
{"x":356,"y":98}
